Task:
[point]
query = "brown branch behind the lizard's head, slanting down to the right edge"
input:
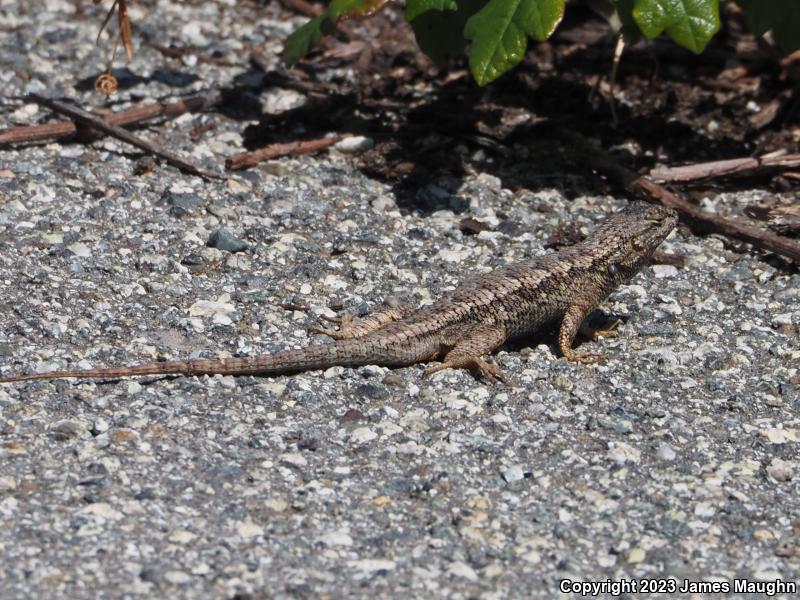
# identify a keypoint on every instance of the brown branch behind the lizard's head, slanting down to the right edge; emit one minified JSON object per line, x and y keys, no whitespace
{"x":708,"y":222}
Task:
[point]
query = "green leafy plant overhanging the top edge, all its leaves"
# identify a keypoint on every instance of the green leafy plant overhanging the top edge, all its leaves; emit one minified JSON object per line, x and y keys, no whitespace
{"x":497,"y":31}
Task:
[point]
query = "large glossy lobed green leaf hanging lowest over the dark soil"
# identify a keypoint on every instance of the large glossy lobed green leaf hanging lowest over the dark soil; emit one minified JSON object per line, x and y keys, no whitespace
{"x":499,"y":33}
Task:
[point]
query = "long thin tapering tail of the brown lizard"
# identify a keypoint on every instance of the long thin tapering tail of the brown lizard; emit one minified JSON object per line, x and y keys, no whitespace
{"x":347,"y":353}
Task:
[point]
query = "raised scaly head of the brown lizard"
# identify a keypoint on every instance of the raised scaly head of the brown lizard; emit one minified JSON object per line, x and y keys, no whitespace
{"x":629,"y":237}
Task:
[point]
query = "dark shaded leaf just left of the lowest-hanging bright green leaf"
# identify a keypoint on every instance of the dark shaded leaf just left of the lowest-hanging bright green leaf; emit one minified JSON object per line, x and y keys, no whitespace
{"x":440,"y":35}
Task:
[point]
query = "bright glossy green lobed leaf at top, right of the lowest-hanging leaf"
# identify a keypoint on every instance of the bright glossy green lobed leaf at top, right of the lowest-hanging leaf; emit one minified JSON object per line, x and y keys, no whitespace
{"x":690,"y":23}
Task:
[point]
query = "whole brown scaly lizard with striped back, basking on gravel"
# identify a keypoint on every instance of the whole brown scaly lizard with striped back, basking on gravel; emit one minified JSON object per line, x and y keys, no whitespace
{"x":465,"y":326}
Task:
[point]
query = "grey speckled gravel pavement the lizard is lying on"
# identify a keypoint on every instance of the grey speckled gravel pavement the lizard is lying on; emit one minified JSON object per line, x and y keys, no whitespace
{"x":677,"y":457}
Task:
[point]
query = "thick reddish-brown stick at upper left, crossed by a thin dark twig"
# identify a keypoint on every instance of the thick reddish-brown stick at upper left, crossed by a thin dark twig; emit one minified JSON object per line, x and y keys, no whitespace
{"x":55,"y":130}
